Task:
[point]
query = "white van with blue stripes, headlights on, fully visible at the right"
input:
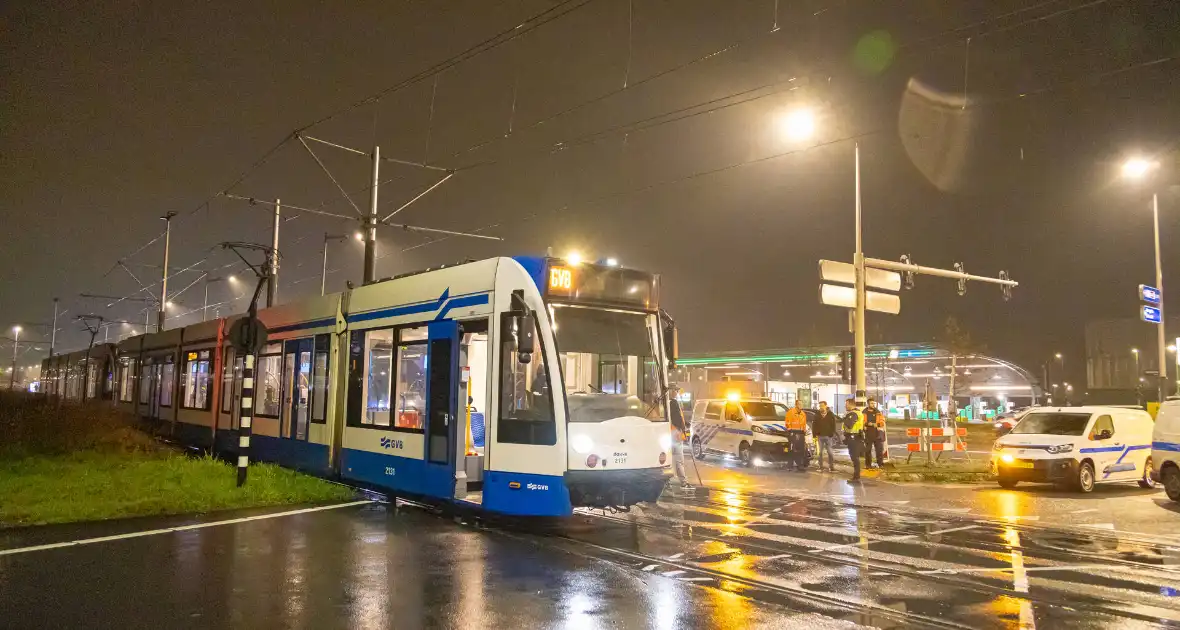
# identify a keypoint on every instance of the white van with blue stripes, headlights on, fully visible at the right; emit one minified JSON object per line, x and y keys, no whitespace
{"x":1078,"y":448}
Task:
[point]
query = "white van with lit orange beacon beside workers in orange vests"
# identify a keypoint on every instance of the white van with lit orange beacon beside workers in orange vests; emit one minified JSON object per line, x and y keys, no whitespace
{"x":751,"y":429}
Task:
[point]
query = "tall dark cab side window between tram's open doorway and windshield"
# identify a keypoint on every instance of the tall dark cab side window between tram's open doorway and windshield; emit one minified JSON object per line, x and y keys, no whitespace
{"x":527,"y":404}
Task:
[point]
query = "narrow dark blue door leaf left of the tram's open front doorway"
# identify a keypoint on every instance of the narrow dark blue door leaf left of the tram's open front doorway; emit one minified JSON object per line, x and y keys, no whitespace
{"x":442,"y":404}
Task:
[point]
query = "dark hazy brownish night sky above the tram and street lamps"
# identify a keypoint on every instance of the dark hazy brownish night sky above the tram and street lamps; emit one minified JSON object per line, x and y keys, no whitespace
{"x":116,"y":113}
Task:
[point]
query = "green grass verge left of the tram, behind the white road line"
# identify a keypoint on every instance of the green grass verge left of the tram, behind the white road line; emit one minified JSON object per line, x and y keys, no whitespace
{"x":95,"y":485}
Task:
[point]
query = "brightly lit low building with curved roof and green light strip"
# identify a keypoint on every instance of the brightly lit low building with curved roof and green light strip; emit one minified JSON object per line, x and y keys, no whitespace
{"x":900,"y":377}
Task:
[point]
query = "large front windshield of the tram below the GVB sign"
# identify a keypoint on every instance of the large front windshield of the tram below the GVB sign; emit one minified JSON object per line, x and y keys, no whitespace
{"x":609,"y":364}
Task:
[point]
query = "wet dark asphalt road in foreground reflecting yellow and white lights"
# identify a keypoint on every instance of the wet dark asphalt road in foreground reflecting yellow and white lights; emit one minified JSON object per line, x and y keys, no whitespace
{"x":736,"y":559}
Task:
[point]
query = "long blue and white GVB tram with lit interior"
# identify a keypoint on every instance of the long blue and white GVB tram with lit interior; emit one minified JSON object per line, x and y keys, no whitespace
{"x":521,"y":386}
